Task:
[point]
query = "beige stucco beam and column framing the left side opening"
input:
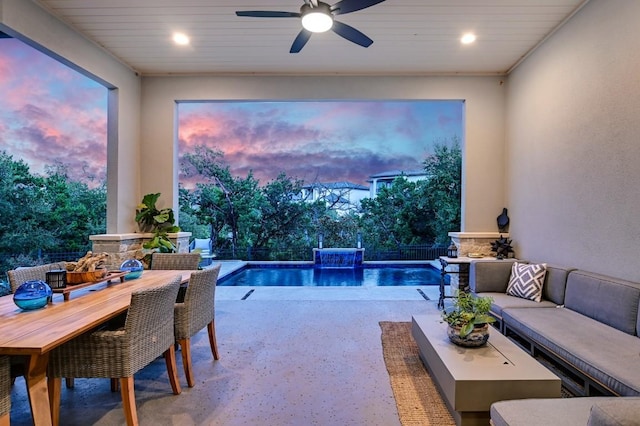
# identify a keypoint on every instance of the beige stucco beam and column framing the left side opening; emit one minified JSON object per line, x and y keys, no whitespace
{"x":26,"y":21}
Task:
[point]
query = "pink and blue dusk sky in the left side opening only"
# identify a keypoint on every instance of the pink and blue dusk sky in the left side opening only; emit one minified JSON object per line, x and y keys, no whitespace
{"x":50,"y":113}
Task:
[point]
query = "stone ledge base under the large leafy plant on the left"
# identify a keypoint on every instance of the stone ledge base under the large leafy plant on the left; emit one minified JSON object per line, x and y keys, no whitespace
{"x":129,"y":246}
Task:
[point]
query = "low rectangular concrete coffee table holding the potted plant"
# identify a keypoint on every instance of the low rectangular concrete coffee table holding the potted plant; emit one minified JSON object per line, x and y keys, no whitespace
{"x":471,"y":379}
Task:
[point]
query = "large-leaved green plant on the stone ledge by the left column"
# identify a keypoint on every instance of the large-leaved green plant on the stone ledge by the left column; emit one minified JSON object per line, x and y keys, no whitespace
{"x":160,"y":222}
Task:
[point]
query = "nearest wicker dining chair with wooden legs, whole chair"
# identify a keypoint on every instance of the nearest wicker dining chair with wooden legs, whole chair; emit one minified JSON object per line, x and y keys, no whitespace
{"x":147,"y":334}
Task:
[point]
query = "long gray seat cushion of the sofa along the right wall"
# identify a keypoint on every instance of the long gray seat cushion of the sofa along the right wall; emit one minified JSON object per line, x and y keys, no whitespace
{"x":608,"y":355}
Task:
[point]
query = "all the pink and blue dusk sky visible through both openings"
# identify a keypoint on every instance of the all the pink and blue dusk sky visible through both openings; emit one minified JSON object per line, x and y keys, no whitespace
{"x":50,"y":113}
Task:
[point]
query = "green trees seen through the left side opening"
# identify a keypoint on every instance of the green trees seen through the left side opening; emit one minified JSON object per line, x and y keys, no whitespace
{"x":50,"y":213}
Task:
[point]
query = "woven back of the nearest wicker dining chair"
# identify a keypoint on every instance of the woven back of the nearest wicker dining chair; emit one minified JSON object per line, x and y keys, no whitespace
{"x":149,"y":323}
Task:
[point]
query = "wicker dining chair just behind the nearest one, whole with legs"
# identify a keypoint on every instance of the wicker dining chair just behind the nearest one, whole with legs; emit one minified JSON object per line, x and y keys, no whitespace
{"x":195,"y":313}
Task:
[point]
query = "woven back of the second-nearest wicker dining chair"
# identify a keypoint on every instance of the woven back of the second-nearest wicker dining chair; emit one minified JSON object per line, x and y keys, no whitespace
{"x":199,"y":302}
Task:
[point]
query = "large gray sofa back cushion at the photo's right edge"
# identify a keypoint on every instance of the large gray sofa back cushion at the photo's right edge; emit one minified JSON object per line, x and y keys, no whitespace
{"x":609,"y":300}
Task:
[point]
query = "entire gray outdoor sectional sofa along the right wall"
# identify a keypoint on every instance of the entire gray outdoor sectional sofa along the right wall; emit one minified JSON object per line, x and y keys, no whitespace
{"x":585,"y":329}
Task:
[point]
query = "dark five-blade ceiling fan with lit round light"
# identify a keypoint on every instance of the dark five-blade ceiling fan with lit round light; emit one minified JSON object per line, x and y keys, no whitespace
{"x":318,"y":16}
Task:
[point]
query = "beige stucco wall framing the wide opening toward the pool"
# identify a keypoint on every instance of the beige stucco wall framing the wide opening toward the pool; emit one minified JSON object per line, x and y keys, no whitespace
{"x":483,"y":173}
